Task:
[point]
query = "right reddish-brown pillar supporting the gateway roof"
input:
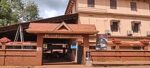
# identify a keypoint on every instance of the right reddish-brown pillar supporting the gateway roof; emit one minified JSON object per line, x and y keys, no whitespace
{"x":85,"y":47}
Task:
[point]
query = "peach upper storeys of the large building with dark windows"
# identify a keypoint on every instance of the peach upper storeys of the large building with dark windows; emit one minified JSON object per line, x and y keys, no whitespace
{"x":116,"y":17}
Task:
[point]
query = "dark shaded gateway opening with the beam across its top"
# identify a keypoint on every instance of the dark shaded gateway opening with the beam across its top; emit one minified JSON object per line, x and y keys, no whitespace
{"x":56,"y":42}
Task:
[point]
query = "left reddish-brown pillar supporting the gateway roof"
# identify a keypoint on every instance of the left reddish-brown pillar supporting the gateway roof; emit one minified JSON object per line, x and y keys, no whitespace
{"x":39,"y":48}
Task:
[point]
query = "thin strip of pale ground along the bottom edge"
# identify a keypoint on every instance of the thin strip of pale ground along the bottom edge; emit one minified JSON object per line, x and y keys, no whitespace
{"x":73,"y":66}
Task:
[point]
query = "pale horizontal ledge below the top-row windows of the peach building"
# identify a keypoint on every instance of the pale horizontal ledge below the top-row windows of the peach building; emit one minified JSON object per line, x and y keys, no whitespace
{"x":104,"y":11}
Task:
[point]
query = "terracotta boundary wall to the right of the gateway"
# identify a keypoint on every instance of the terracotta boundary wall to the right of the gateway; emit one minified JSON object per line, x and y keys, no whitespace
{"x":120,"y":57}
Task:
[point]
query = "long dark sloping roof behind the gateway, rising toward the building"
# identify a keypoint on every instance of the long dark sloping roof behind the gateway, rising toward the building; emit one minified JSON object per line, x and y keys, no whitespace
{"x":57,"y":19}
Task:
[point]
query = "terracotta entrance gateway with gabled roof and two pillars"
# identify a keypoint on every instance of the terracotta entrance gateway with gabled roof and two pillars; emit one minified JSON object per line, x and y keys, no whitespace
{"x":62,"y":31}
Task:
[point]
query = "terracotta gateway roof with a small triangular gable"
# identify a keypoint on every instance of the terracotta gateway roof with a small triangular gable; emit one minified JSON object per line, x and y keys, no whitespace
{"x":69,"y":28}
